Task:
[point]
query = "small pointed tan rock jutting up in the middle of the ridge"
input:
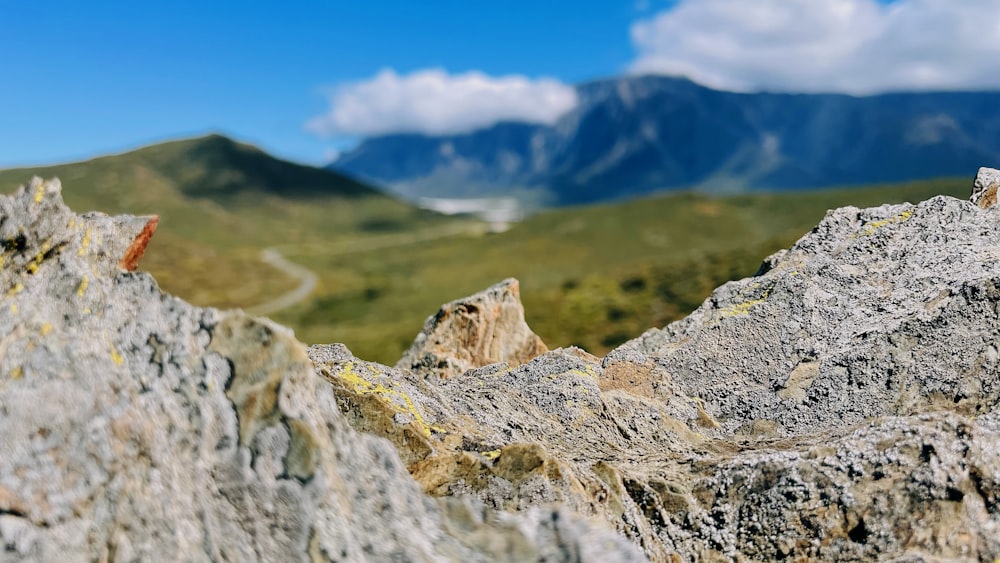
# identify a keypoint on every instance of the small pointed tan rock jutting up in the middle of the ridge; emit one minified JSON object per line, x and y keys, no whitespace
{"x":483,"y":329}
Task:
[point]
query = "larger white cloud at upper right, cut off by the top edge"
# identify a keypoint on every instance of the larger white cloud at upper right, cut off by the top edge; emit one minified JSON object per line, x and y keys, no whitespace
{"x":854,"y":46}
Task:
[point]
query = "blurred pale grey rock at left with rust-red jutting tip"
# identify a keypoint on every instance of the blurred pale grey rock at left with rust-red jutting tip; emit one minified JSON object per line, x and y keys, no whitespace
{"x":138,"y":427}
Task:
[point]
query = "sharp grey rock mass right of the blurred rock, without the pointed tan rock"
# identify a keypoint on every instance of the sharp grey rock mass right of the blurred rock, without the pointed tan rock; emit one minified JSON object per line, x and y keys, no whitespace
{"x":839,"y":405}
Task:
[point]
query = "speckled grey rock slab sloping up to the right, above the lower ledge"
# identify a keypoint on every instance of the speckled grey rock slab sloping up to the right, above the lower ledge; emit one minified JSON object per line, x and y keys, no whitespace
{"x":876,"y":312}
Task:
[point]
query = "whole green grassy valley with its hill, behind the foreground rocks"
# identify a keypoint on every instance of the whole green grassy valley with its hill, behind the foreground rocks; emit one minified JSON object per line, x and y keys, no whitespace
{"x":590,"y":276}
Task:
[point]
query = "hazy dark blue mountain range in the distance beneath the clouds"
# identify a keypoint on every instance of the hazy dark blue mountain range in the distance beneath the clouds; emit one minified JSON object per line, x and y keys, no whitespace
{"x":637,"y":135}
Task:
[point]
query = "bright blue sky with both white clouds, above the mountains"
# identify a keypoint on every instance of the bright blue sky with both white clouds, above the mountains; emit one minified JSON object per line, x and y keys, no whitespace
{"x":303,"y":79}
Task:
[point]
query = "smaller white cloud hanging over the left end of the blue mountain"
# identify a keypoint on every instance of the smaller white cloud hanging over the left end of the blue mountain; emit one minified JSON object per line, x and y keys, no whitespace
{"x":435,"y":102}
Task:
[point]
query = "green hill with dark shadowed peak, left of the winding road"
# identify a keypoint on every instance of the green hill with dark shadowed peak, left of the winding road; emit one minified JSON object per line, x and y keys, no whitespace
{"x":220,"y":202}
